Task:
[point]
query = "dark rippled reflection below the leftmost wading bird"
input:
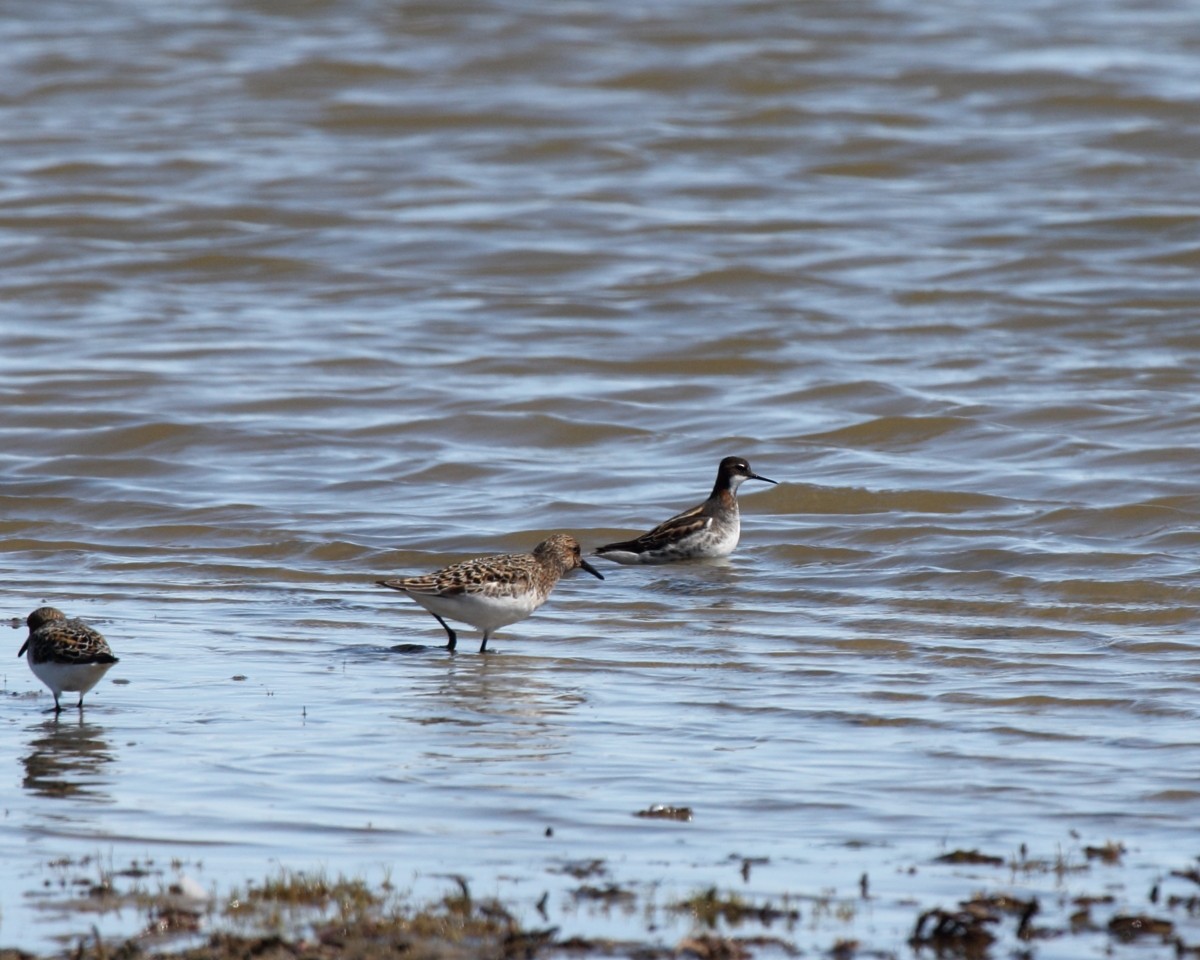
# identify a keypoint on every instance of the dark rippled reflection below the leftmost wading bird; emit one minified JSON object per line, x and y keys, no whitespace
{"x":67,"y":759}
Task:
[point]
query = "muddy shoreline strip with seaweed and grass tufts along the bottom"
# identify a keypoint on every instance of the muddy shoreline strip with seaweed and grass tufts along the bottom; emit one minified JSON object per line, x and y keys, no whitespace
{"x":1084,"y":903}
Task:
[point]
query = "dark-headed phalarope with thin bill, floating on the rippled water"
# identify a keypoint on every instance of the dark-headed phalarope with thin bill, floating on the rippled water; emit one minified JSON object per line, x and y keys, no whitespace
{"x":710,"y":530}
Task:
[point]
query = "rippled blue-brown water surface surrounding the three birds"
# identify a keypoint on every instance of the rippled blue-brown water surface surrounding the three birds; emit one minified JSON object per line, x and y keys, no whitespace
{"x":297,"y":296}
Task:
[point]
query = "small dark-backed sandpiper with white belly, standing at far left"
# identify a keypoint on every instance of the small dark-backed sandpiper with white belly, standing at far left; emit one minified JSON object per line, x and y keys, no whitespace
{"x":65,"y":655}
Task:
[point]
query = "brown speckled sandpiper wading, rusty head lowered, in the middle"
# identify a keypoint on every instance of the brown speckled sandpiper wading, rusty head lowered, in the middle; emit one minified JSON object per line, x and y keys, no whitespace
{"x":493,"y":592}
